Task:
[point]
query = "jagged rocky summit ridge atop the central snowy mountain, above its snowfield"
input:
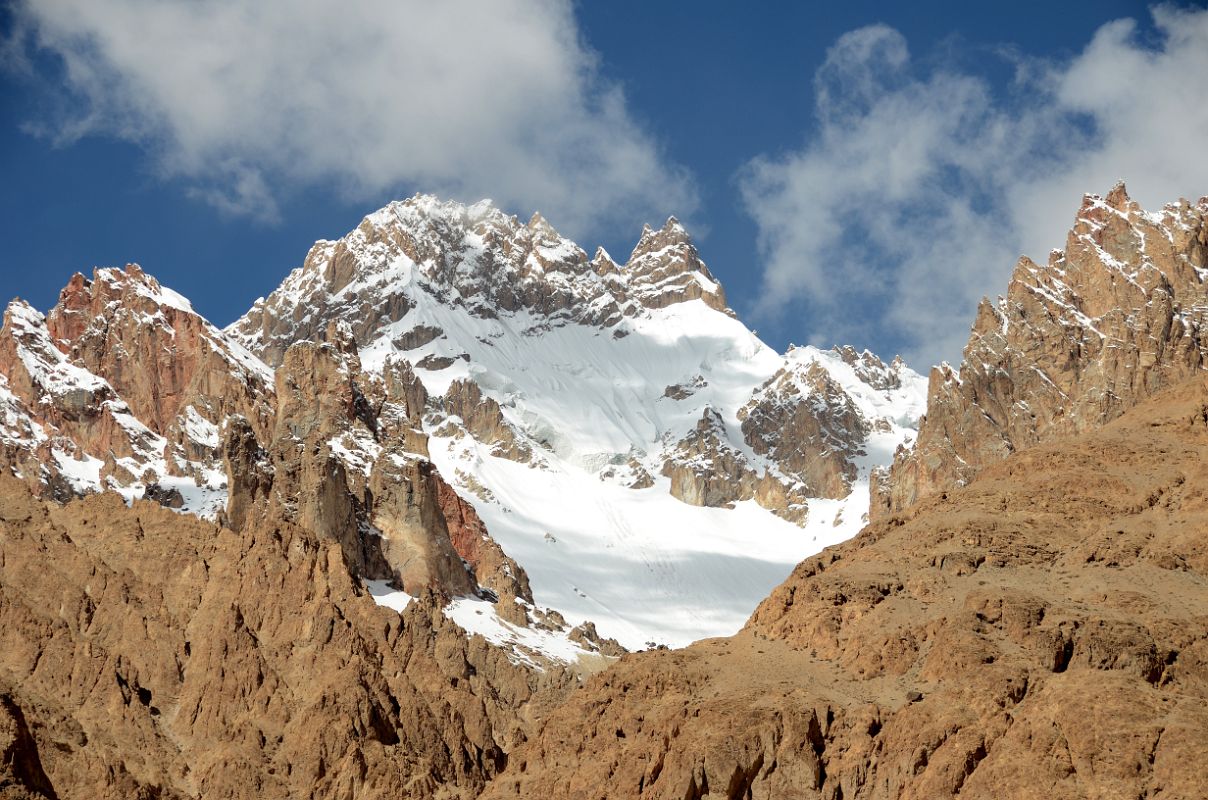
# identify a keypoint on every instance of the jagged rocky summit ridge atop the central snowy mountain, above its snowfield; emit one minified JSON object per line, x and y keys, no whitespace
{"x":479,"y":259}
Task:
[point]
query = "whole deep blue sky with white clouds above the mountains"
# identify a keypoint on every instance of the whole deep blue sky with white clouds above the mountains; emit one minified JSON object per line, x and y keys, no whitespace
{"x":853,"y":173}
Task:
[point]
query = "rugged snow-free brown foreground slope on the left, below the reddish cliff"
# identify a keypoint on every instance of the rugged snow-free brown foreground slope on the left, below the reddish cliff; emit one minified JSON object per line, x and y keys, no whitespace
{"x":148,"y":654}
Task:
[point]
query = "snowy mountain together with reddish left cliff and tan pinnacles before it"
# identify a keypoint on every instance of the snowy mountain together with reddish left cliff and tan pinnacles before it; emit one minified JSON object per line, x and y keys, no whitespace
{"x":471,"y":405}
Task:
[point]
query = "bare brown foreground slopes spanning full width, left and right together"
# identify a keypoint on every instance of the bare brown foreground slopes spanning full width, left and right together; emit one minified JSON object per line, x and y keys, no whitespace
{"x":1039,"y":634}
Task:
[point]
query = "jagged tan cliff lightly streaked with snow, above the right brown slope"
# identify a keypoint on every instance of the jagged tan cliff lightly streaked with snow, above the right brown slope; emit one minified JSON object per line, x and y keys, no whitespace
{"x":1118,"y":316}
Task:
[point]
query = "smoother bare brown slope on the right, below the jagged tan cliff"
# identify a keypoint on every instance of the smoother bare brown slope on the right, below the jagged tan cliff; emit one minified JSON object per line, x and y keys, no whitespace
{"x":1037,"y":634}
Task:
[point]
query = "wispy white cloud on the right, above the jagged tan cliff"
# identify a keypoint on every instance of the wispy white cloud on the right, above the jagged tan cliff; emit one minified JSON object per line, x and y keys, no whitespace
{"x":919,"y":189}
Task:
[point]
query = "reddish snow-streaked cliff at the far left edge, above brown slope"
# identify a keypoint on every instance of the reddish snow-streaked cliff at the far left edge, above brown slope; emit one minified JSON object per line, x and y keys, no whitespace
{"x":124,"y":387}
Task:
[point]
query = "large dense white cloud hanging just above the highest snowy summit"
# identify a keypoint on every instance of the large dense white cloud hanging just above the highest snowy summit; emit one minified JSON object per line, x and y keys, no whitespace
{"x":247,"y":101}
